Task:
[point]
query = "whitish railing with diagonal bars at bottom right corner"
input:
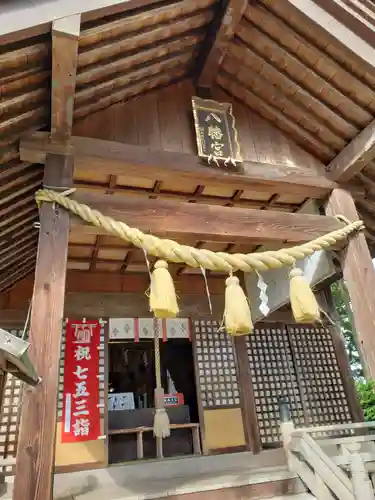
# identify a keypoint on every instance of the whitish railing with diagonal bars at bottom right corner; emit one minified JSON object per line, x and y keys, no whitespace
{"x":334,"y":462}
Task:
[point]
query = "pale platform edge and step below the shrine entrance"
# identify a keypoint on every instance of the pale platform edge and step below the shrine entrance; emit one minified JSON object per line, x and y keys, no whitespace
{"x":220,"y":477}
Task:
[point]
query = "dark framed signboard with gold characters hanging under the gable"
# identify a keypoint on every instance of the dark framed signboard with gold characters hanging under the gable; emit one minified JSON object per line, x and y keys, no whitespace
{"x":217,"y":138}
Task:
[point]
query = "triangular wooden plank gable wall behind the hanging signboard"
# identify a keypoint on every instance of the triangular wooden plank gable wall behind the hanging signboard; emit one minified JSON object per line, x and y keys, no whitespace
{"x":259,"y":140}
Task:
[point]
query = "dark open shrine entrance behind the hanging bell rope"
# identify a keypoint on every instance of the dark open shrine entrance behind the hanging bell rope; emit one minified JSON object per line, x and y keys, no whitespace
{"x":131,"y":385}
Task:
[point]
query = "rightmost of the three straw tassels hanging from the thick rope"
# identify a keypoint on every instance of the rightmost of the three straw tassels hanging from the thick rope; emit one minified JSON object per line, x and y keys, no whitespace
{"x":302,"y":299}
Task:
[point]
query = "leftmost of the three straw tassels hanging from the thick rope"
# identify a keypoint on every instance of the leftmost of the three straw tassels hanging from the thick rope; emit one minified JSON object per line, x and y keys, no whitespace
{"x":163,"y":300}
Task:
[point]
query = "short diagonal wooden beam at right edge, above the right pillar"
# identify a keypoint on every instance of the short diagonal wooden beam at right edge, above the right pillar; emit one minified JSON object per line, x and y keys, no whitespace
{"x":355,"y":156}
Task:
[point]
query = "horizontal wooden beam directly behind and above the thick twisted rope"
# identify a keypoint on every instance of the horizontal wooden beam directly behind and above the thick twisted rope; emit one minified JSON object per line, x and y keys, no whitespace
{"x":207,"y":222}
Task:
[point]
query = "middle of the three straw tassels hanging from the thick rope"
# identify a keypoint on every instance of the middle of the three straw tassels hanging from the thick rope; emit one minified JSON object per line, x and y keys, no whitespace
{"x":237,"y":316}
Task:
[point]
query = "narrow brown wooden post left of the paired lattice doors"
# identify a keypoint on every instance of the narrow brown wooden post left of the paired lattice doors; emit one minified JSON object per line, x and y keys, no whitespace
{"x":249,"y":415}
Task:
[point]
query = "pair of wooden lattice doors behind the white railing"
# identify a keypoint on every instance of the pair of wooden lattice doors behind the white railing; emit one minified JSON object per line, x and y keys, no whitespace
{"x":298,"y":363}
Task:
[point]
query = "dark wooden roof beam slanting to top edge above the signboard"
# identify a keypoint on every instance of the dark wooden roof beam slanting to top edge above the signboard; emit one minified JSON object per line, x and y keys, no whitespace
{"x":231,"y":18}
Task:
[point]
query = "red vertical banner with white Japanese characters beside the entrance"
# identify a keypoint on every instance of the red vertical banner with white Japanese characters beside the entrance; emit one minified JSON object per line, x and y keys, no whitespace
{"x":81,"y":412}
